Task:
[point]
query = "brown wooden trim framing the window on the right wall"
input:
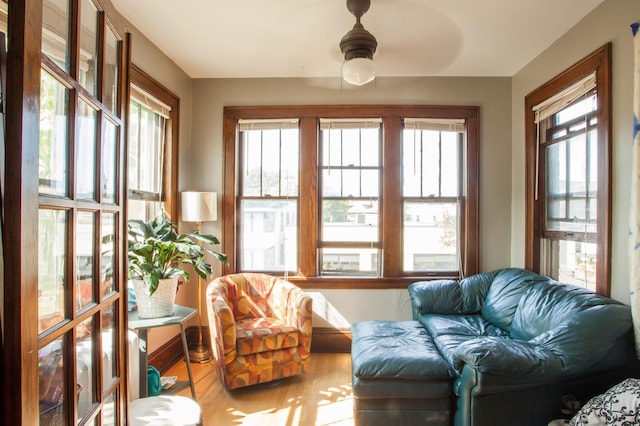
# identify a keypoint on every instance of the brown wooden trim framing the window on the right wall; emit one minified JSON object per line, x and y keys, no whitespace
{"x":600,"y":62}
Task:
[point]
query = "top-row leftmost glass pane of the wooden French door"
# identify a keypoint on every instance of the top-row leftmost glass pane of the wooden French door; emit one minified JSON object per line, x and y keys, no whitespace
{"x":55,"y":31}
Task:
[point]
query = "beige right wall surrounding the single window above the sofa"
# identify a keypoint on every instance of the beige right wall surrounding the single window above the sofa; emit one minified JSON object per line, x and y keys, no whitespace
{"x":610,"y":22}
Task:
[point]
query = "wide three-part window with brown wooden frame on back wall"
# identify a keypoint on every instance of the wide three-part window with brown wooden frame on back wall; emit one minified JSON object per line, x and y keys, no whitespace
{"x":372,"y":196}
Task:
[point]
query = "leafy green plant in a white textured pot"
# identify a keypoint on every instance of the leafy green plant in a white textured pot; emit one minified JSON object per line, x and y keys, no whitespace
{"x":157,"y":259}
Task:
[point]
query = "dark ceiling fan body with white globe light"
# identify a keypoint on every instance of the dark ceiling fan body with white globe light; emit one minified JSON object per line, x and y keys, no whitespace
{"x":358,"y":47}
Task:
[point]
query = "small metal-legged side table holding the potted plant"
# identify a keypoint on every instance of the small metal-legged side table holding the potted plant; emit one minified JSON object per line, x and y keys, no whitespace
{"x":180,"y":315}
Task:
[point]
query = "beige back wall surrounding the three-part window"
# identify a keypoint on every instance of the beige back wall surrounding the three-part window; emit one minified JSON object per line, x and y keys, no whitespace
{"x":493,"y":95}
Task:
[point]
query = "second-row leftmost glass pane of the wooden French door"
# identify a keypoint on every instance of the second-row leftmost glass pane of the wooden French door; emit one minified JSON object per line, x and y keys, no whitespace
{"x":53,"y":136}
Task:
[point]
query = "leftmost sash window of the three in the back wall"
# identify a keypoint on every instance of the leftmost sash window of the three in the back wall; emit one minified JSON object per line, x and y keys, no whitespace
{"x":268,"y":197}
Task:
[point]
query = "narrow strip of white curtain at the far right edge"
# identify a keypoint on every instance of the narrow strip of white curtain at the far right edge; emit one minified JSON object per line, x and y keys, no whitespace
{"x":634,"y":227}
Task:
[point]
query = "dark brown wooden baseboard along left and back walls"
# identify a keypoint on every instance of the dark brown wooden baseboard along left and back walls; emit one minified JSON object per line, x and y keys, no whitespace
{"x":323,"y":340}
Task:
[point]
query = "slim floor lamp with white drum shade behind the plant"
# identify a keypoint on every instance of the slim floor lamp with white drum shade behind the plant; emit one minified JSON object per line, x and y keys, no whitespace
{"x":199,"y":207}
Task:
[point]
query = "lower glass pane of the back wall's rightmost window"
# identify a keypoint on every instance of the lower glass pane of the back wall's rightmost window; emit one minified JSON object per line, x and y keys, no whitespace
{"x":430,"y":236}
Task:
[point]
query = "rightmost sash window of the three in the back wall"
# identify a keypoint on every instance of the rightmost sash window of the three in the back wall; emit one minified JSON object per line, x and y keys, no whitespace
{"x":432,"y":194}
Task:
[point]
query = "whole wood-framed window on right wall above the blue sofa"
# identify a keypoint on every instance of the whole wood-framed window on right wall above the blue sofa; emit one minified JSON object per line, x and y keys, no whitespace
{"x":569,"y":175}
